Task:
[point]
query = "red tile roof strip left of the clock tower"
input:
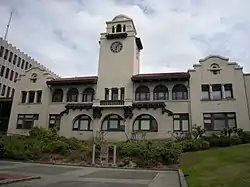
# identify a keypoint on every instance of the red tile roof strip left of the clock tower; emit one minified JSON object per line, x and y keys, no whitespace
{"x":74,"y":80}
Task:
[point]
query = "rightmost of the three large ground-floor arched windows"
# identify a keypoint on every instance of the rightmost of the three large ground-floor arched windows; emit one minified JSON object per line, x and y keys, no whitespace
{"x":145,"y":122}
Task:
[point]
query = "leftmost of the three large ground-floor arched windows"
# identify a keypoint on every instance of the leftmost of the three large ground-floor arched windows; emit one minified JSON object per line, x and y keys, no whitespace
{"x":82,"y":123}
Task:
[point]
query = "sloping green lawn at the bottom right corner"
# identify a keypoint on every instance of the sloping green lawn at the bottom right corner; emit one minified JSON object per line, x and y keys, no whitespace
{"x":221,"y":167}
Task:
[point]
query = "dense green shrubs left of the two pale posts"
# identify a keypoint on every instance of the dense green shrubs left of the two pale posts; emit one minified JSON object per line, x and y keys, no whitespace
{"x":41,"y":141}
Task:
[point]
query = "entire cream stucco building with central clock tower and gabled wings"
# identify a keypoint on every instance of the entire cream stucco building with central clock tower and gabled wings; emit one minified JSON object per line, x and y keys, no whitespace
{"x":120,"y":101}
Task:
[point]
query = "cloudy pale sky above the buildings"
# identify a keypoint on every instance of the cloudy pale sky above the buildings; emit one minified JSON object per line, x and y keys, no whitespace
{"x":63,"y":34}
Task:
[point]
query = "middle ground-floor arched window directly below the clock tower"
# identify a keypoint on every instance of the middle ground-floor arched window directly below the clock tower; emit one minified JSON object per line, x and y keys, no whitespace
{"x":113,"y":122}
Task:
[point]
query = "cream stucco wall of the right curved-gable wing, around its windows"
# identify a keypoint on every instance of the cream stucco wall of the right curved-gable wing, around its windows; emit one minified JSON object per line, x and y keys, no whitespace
{"x":231,"y":73}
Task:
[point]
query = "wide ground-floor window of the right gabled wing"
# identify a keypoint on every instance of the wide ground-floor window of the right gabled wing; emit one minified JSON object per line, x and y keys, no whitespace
{"x":219,"y":121}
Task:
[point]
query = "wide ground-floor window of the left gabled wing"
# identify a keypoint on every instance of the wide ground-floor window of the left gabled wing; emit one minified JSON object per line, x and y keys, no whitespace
{"x":26,"y":121}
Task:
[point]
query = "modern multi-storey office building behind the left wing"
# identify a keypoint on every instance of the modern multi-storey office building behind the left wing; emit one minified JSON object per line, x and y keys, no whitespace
{"x":13,"y":63}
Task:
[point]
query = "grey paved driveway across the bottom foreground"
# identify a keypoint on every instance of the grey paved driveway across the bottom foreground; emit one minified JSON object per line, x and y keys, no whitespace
{"x":71,"y":176}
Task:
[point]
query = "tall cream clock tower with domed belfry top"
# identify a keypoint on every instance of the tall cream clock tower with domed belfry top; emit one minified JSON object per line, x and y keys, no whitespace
{"x":119,"y":59}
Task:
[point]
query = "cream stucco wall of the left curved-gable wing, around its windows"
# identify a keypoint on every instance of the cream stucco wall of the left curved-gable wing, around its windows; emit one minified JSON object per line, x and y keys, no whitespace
{"x":24,"y":84}
